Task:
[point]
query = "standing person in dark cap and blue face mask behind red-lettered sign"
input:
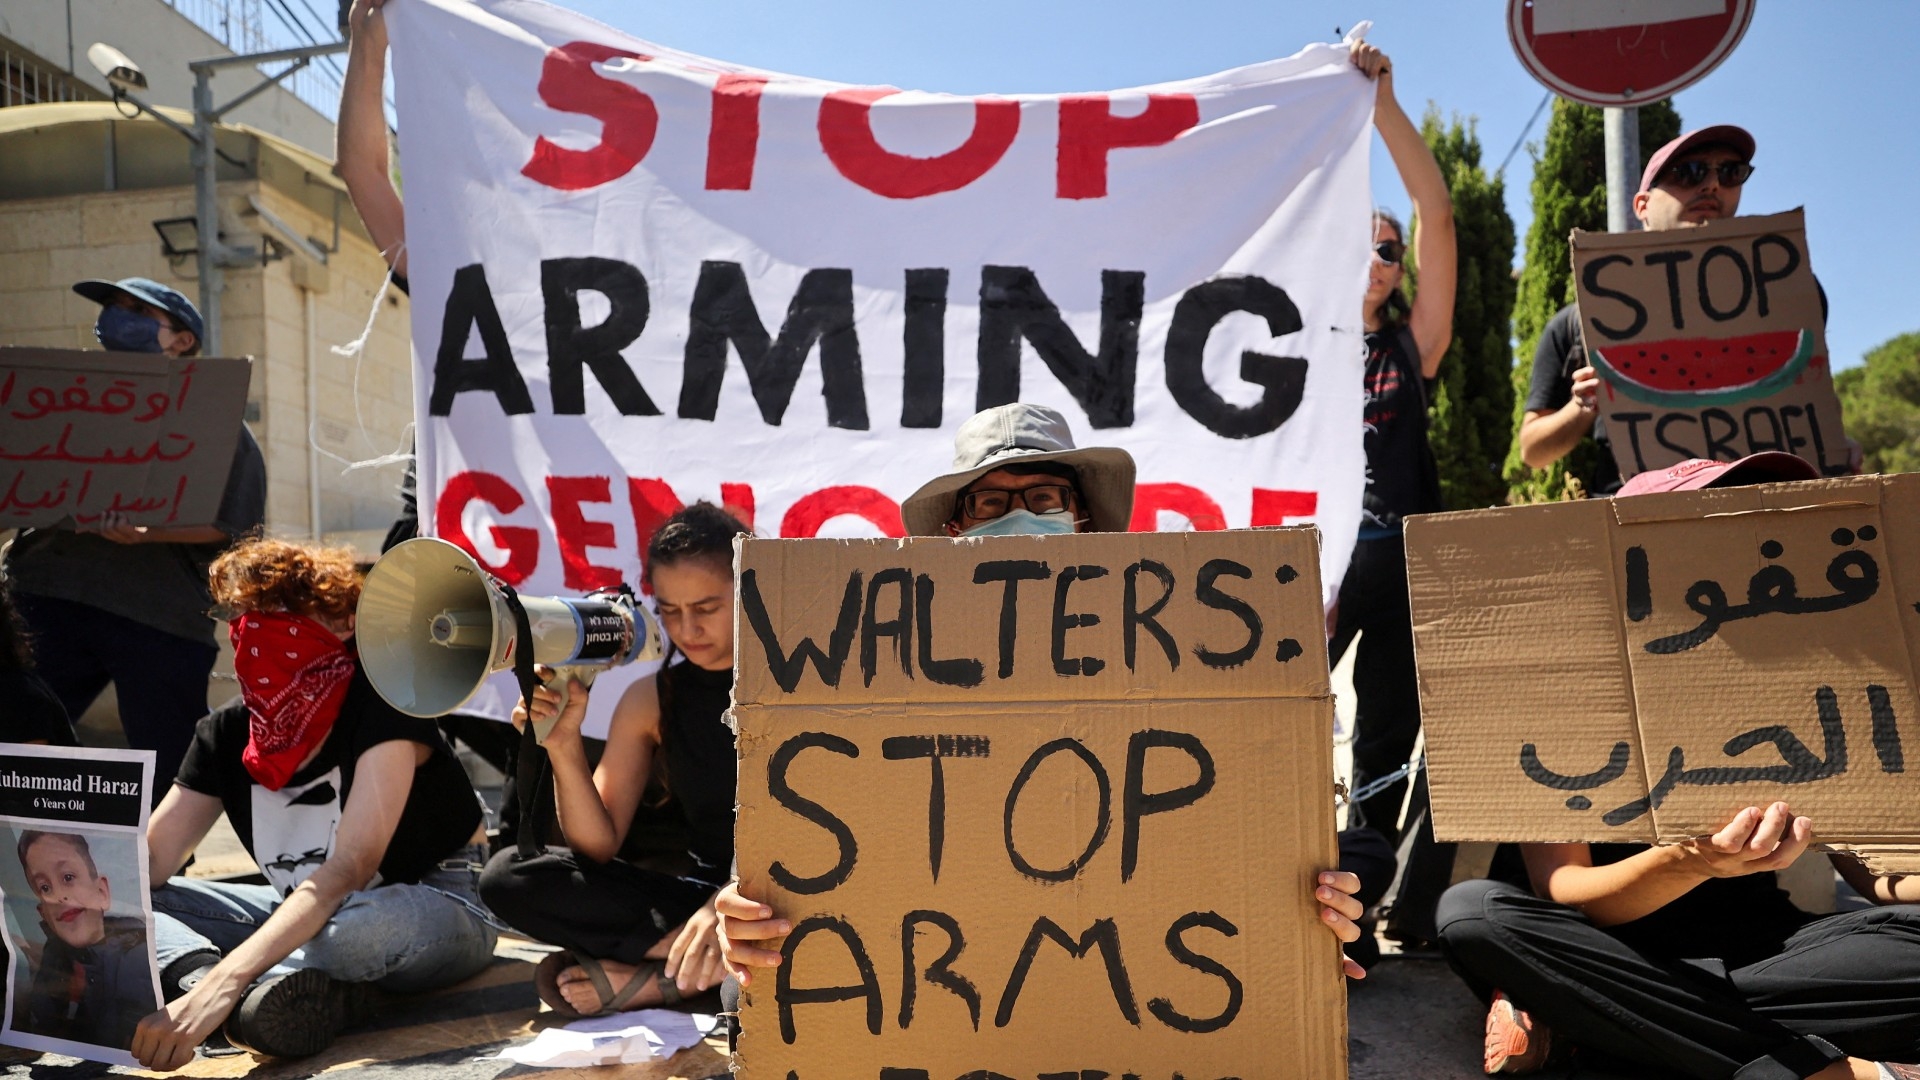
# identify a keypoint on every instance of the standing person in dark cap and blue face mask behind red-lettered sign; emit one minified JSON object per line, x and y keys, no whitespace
{"x":128,"y":604}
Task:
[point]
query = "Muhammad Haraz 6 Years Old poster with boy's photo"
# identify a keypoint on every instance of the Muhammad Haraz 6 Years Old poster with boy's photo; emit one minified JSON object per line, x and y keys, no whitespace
{"x":76,"y":900}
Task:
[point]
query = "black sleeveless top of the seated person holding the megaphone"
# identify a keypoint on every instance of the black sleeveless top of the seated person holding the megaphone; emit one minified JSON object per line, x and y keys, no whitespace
{"x":702,"y":766}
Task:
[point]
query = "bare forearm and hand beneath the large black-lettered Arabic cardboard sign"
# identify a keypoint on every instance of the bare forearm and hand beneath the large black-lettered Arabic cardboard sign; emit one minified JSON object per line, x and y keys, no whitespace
{"x":1637,"y":887}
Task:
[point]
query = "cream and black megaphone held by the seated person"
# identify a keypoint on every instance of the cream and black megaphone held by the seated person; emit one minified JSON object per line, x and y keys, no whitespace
{"x":433,"y":626}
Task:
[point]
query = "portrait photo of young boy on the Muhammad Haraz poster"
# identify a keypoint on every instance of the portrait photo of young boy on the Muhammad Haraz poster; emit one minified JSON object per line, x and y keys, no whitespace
{"x":91,"y":973}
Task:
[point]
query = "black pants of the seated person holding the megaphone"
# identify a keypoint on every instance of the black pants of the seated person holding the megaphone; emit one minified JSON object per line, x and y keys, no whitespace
{"x":610,"y":912}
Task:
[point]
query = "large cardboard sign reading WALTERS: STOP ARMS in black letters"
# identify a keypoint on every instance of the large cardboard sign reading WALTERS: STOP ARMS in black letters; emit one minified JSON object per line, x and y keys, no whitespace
{"x":1038,"y":806}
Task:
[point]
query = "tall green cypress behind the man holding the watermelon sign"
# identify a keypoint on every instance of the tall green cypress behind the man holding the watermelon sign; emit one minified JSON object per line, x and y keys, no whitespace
{"x":1570,"y":193}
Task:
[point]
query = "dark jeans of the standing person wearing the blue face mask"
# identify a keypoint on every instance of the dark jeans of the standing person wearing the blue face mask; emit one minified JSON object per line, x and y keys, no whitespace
{"x":160,"y":679}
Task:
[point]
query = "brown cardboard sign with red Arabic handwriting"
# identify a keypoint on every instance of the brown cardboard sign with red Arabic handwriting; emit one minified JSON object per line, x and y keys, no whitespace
{"x":87,"y":433}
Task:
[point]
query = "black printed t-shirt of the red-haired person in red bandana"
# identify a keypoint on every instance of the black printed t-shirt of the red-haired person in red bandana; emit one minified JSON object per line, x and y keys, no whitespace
{"x":291,"y":831}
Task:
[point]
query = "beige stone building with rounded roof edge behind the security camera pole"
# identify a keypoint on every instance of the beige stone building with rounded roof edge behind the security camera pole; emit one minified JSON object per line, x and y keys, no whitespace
{"x":80,"y":193}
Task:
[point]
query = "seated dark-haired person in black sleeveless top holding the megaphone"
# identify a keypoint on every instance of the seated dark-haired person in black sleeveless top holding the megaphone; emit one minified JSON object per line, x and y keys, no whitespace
{"x":636,"y":937}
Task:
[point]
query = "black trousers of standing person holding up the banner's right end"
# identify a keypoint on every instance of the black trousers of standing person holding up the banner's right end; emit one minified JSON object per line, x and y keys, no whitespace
{"x":1374,"y":599}
